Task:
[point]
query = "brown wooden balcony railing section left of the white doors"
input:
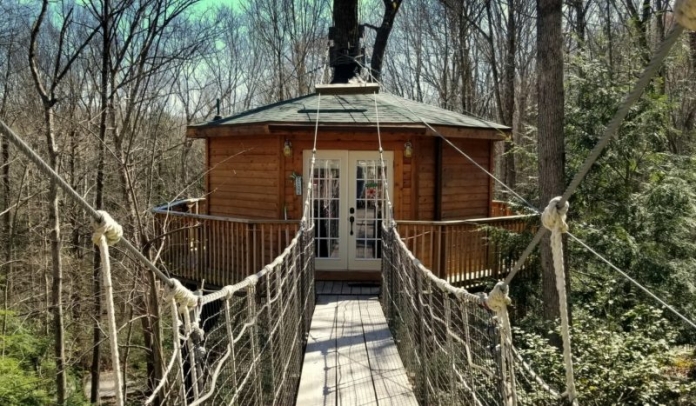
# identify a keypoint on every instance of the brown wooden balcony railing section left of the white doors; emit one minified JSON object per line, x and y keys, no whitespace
{"x":219,"y":250}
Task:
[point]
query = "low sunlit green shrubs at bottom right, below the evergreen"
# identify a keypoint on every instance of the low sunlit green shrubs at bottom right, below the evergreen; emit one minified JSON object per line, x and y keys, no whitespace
{"x":628,"y":365}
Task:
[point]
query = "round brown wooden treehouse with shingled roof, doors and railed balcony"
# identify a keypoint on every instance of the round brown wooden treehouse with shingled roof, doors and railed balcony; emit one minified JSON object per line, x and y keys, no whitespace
{"x":258,"y":168}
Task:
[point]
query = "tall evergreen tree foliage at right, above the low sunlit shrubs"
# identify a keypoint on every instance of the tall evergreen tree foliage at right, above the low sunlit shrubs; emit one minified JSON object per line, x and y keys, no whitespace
{"x":637,"y":206}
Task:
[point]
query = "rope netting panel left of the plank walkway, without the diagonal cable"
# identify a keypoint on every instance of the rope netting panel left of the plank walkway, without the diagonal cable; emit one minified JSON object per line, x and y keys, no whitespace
{"x":241,"y":345}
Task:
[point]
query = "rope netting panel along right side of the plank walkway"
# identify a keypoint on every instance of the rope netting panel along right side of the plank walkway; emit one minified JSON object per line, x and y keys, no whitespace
{"x":456,"y":348}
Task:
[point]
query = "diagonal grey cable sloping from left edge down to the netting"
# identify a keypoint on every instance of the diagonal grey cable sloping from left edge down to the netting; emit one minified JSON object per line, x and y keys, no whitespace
{"x":47,"y":170}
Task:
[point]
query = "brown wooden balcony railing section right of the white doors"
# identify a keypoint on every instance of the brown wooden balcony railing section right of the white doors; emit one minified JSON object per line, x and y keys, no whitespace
{"x":463,"y":252}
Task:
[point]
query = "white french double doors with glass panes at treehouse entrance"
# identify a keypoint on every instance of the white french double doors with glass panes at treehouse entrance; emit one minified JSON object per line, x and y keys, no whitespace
{"x":348,"y":207}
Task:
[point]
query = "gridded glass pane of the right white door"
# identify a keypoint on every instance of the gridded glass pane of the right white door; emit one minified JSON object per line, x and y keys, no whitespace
{"x":369,"y":204}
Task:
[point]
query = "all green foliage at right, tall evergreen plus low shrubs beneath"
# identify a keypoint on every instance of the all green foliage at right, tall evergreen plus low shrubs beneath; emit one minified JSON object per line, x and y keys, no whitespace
{"x":637,"y":207}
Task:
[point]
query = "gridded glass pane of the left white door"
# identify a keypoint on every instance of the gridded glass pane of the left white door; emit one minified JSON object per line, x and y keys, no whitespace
{"x":326,"y":193}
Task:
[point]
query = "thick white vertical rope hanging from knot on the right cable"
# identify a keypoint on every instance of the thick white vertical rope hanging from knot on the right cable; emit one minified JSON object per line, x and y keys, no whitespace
{"x":553,"y":219}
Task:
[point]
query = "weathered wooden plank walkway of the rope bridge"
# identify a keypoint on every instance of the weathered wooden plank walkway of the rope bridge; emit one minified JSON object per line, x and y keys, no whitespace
{"x":351,"y":358}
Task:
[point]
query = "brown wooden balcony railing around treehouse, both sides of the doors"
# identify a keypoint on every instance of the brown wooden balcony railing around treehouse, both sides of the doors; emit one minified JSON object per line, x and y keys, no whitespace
{"x":225,"y":250}
